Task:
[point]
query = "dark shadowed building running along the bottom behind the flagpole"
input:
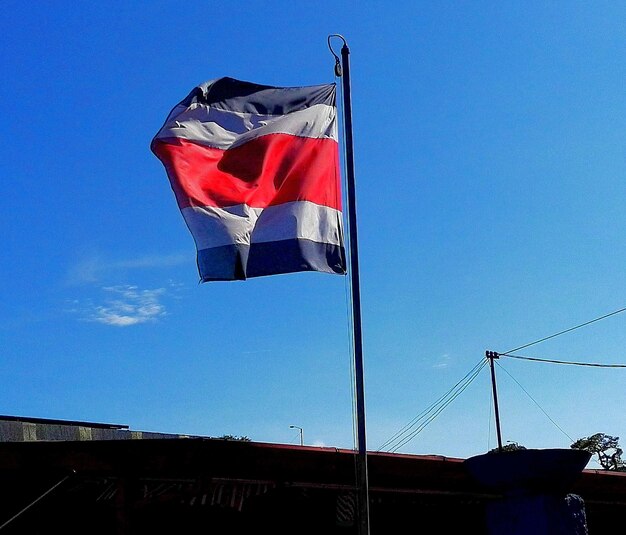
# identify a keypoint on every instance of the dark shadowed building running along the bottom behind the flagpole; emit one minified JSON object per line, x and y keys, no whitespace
{"x":81,"y":477}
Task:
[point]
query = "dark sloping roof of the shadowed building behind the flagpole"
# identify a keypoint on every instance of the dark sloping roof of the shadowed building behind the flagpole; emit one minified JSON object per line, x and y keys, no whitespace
{"x":313,"y":467}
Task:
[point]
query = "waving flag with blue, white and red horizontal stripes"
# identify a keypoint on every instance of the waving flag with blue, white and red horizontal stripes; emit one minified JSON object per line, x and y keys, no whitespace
{"x":255,"y":173}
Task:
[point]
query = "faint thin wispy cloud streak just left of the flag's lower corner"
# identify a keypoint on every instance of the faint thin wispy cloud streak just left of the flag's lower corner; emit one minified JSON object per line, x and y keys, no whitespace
{"x":95,"y":267}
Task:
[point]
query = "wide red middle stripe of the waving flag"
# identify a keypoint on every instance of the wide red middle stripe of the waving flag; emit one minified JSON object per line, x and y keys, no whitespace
{"x":266,"y":171}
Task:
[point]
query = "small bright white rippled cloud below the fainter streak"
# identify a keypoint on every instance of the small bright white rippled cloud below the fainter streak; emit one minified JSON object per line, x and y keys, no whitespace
{"x":129,"y":305}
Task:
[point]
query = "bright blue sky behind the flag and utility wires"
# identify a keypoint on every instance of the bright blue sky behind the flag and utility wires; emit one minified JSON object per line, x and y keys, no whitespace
{"x":490,"y":158}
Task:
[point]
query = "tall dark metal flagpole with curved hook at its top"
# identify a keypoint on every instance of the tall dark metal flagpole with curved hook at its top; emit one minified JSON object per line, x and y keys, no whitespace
{"x":362,"y":479}
